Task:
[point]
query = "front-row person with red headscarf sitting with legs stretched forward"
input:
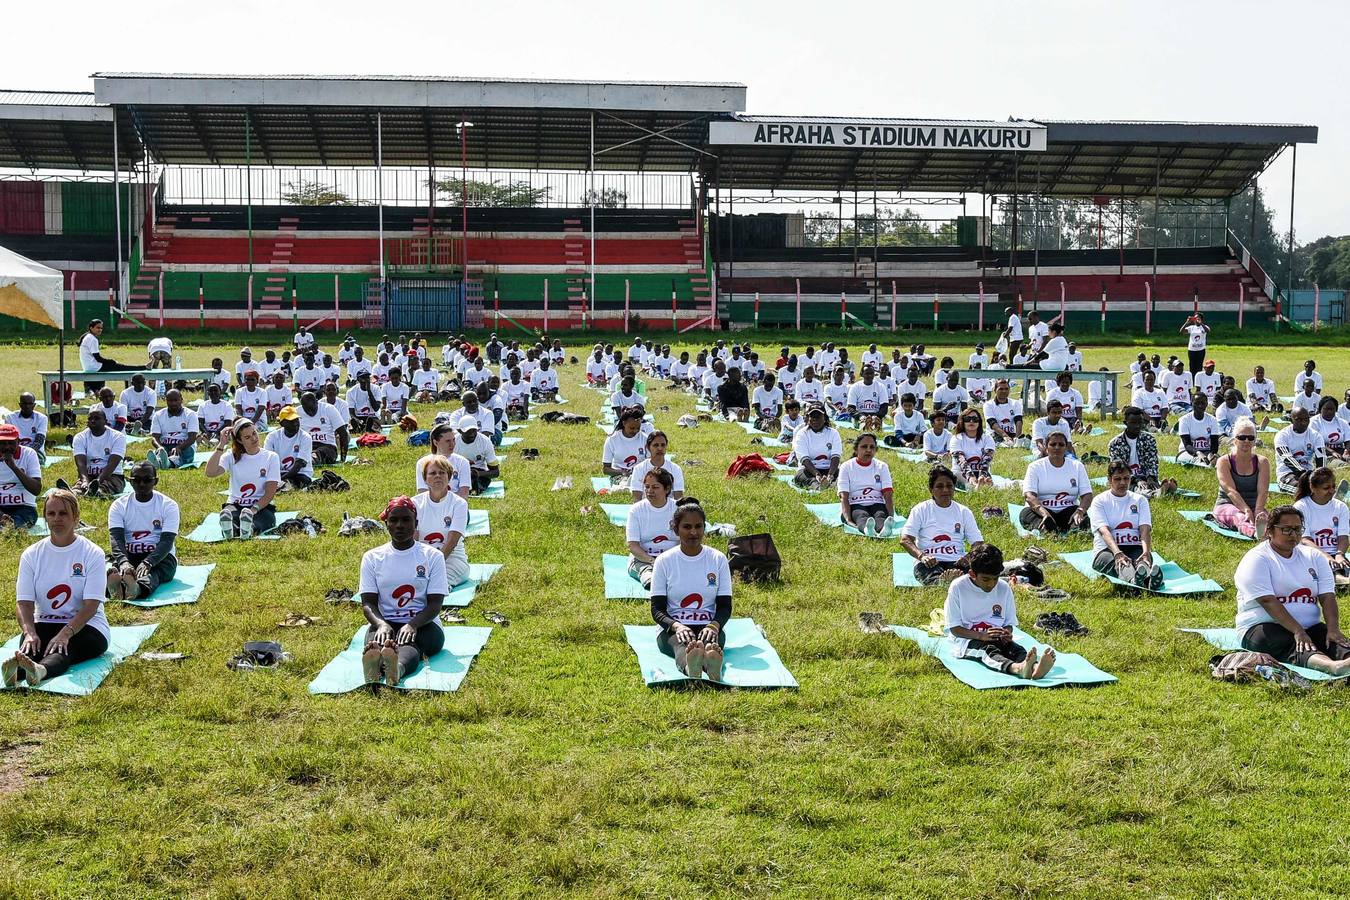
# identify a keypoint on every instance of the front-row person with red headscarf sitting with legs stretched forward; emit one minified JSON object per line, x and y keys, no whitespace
{"x":403,"y":586}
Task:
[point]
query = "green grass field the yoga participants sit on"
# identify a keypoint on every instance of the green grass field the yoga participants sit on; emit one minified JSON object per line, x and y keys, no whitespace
{"x":556,"y":771}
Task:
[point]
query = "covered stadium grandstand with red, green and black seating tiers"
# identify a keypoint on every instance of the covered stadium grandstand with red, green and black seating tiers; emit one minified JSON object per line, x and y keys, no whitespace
{"x":437,"y":204}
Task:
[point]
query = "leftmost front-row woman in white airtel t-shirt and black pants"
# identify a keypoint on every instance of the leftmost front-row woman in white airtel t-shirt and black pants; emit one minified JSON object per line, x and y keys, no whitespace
{"x":59,"y":594}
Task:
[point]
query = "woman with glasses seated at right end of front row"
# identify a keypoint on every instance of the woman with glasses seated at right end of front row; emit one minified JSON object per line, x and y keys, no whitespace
{"x":1287,"y":602}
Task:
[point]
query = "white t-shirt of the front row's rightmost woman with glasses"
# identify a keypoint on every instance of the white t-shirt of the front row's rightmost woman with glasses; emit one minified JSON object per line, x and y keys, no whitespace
{"x":1297,"y":582}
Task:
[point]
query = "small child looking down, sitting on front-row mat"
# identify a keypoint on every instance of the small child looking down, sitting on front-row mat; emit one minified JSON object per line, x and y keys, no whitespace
{"x":981,"y":616}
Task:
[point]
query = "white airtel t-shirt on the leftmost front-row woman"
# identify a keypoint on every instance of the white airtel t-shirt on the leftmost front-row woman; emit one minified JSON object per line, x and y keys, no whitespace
{"x":60,"y":580}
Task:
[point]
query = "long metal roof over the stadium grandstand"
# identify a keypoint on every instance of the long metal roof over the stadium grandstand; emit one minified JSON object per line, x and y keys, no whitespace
{"x":329,"y":121}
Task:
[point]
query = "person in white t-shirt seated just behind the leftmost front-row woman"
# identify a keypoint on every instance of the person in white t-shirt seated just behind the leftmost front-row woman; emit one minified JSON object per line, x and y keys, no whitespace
{"x":144,"y":530}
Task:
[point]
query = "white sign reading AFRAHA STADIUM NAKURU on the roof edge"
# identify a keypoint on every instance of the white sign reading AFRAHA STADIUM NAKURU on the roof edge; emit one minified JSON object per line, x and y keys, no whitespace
{"x":850,"y":134}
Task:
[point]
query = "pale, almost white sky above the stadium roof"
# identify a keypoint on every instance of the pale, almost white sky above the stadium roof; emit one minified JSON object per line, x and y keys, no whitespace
{"x":1181,"y":60}
